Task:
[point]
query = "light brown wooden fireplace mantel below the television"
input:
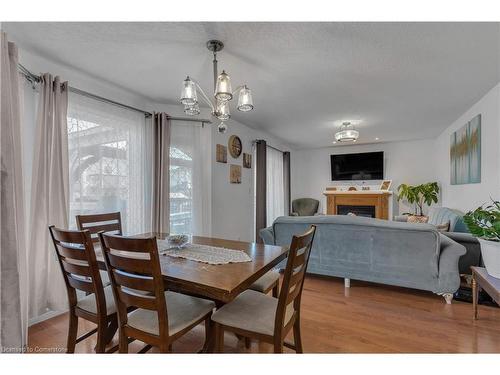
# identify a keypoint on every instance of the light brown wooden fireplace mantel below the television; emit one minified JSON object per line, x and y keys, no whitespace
{"x":380,"y":199}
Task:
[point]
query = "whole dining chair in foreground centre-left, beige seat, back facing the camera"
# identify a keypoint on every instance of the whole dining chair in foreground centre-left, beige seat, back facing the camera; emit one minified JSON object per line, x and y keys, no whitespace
{"x":160,"y":317}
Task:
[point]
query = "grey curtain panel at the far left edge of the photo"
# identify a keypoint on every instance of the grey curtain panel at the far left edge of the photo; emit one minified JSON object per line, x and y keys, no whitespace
{"x":13,"y":275}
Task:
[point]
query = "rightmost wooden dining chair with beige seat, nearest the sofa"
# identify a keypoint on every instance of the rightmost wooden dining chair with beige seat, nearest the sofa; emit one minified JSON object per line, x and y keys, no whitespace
{"x":255,"y":315}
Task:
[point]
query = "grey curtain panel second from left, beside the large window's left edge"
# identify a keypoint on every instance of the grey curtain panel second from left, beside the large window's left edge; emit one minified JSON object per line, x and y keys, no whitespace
{"x":49,"y":197}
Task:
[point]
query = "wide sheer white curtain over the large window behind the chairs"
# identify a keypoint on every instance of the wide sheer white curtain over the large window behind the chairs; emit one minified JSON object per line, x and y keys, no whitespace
{"x":110,"y":162}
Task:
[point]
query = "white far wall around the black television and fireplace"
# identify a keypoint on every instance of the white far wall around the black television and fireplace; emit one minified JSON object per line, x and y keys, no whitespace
{"x":404,"y":162}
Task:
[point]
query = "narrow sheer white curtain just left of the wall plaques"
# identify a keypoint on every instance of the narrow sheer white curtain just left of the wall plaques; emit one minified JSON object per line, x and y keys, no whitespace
{"x":190,"y":184}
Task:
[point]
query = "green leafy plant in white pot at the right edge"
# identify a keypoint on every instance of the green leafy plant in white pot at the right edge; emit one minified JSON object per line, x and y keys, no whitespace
{"x":484,"y":223}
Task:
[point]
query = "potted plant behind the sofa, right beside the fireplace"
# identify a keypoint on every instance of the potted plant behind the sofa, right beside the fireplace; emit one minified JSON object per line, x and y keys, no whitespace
{"x":417,"y":195}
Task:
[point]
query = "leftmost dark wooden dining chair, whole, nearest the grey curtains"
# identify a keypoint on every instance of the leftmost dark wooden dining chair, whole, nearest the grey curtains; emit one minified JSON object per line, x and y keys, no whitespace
{"x":76,"y":256}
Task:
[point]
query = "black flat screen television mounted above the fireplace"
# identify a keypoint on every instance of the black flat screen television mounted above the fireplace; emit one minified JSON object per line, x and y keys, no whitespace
{"x":360,"y":166}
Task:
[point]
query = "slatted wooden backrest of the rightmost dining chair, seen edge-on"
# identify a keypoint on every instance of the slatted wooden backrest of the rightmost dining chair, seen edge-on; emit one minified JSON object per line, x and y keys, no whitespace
{"x":293,"y":277}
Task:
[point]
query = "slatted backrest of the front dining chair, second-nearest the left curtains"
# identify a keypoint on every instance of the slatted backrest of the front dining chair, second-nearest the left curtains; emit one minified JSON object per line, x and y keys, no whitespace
{"x":134,"y":270}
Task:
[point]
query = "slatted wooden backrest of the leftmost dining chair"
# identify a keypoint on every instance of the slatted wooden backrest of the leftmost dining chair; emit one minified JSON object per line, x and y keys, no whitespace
{"x":76,"y":255}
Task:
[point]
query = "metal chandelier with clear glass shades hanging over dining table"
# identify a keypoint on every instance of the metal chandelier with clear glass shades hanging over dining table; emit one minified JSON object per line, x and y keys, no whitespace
{"x":223,"y":93}
